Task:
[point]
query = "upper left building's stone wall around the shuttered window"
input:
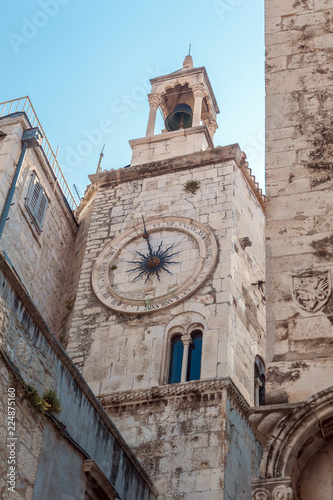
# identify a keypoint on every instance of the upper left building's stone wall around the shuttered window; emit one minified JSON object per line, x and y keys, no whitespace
{"x":40,"y":259}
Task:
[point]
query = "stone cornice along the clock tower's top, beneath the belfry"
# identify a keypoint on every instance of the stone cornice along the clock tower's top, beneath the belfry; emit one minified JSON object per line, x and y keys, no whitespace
{"x":111,"y":178}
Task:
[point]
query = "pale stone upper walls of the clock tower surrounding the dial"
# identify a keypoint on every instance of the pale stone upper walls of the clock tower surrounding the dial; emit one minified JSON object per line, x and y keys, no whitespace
{"x":118,"y":352}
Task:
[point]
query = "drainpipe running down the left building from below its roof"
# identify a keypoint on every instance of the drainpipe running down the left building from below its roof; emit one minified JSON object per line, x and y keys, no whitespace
{"x":31,"y":138}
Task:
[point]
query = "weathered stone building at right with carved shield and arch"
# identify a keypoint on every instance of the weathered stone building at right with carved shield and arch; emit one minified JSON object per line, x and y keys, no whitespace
{"x":296,"y":426}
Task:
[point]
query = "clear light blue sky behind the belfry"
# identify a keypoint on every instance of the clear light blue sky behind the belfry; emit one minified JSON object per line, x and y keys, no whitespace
{"x":86,"y":68}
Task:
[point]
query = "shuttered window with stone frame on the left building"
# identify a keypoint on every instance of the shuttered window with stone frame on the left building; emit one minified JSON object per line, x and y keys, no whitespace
{"x":36,"y":202}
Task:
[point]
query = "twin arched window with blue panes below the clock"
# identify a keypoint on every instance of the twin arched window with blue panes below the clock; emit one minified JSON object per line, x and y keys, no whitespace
{"x":185,"y":357}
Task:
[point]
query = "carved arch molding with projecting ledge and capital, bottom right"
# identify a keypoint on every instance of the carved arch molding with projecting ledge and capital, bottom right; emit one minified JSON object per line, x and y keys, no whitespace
{"x":293,"y":433}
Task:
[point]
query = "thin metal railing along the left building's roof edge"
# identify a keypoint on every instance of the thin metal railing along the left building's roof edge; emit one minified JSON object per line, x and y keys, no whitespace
{"x":23,"y":104}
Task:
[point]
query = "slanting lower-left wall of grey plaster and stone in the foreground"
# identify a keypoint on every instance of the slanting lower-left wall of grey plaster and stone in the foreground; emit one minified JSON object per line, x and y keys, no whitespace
{"x":52,"y":449}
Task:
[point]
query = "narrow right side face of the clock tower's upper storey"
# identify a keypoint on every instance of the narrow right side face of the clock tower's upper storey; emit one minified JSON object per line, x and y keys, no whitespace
{"x":248,"y":306}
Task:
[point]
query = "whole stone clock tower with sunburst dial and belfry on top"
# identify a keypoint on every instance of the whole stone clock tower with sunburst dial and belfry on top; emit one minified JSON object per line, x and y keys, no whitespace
{"x":168,"y":323}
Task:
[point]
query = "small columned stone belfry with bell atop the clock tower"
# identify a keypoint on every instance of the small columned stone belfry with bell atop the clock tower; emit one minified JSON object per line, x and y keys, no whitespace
{"x":187,"y":89}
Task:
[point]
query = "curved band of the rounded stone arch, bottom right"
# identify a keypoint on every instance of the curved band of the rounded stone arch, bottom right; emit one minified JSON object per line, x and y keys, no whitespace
{"x":297,"y":438}
